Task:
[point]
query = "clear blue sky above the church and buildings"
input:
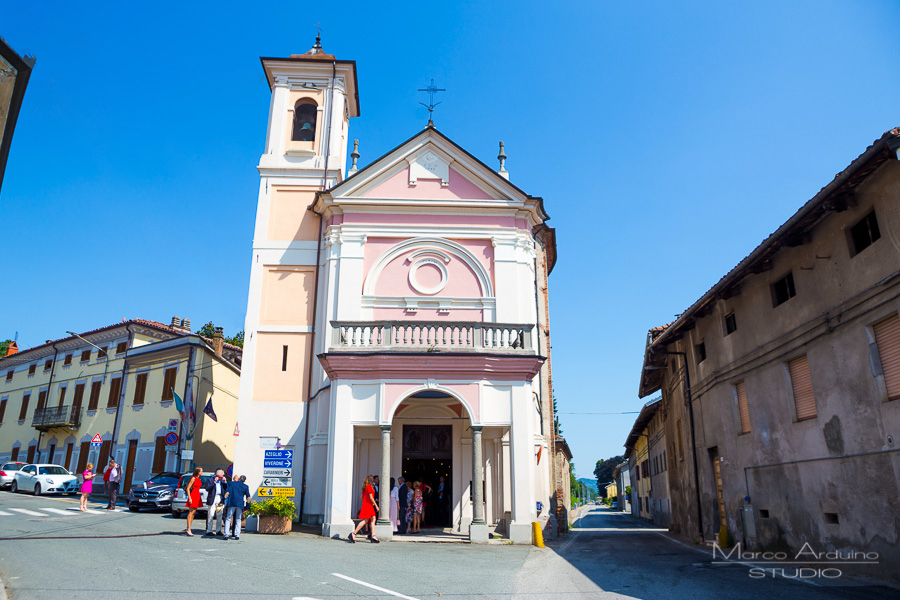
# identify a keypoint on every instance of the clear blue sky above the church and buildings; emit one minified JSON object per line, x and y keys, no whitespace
{"x":667,"y":139}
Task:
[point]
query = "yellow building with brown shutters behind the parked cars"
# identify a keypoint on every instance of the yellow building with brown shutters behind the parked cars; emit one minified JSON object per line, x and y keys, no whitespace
{"x":119,"y":382}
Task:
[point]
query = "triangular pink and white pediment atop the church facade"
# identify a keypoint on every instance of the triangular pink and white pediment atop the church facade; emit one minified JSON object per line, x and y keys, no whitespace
{"x":429,"y":167}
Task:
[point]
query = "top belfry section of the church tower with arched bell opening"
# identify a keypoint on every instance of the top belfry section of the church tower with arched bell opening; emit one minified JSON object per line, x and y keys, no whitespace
{"x":313,"y":97}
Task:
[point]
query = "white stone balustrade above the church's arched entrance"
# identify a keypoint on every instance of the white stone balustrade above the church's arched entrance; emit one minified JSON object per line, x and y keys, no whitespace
{"x":431,"y":336}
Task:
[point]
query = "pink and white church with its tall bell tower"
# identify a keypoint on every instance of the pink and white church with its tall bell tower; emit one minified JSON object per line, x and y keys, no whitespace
{"x":397,"y":321}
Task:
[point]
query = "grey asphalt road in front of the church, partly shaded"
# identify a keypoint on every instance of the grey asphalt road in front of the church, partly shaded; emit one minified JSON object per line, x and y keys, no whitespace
{"x":50,"y":550}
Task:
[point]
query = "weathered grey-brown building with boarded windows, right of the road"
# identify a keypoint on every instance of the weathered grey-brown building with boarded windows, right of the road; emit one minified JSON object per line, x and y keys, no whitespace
{"x":780,"y":385}
